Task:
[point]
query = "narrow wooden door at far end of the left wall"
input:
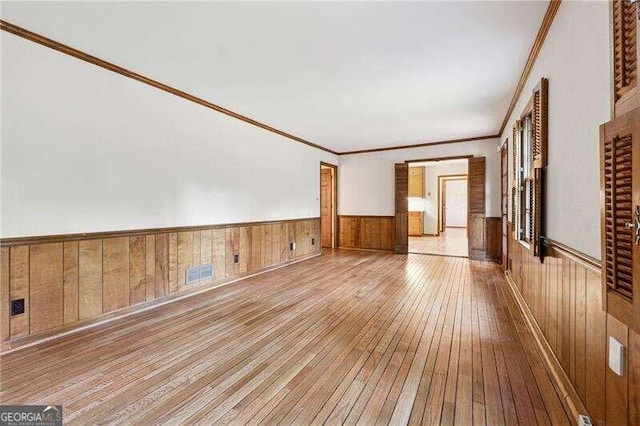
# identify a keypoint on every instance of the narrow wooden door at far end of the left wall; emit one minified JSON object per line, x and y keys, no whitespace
{"x":328,"y":205}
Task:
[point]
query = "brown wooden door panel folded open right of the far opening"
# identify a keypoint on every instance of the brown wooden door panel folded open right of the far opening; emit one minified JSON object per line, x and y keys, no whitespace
{"x":476,"y":182}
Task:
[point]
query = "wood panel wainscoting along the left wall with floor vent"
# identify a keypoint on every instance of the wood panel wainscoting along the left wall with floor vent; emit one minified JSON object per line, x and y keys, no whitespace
{"x":69,"y":281}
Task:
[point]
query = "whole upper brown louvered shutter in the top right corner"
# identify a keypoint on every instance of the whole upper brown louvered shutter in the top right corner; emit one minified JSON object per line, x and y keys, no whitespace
{"x":624,"y":16}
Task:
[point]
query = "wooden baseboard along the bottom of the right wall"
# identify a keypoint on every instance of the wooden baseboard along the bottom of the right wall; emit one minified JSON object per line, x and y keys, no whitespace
{"x":571,"y":402}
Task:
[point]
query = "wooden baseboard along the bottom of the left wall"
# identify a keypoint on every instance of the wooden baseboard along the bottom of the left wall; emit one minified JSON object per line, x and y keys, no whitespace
{"x":21,"y":343}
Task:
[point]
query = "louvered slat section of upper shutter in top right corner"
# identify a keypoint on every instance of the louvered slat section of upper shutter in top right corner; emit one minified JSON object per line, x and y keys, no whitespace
{"x":624,"y":15}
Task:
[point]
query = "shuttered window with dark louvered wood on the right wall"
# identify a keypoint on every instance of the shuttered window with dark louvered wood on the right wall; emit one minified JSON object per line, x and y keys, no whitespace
{"x":529,"y":161}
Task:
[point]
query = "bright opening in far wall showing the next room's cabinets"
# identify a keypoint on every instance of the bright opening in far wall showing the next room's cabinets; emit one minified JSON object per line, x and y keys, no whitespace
{"x":438,"y":207}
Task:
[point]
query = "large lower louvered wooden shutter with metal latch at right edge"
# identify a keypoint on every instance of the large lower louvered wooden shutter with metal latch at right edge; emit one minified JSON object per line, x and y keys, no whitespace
{"x":620,"y":191}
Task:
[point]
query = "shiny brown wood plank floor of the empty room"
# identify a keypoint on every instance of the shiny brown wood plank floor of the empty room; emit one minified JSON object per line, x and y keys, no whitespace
{"x":348,"y":337}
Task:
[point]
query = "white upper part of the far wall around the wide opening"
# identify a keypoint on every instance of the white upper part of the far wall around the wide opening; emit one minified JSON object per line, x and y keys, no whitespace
{"x":367,"y":180}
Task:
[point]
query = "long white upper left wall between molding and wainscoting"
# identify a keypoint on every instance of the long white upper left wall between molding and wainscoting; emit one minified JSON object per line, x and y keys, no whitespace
{"x":84,"y":150}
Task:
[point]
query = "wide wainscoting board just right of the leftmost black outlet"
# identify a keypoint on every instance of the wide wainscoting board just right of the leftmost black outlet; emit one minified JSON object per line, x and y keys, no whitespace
{"x":46,"y":287}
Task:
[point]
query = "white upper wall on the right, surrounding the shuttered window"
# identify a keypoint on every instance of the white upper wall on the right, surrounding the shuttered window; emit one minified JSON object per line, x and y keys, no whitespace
{"x":575,"y":59}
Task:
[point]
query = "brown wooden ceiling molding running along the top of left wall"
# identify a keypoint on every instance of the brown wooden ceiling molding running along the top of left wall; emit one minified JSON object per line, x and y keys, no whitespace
{"x":78,"y":54}
